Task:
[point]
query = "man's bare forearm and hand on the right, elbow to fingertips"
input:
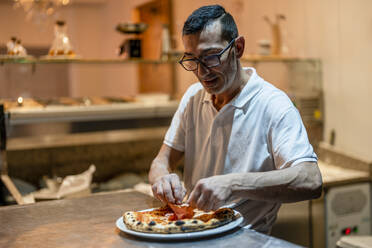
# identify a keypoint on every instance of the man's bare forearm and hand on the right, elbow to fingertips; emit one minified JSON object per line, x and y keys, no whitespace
{"x":297,"y":183}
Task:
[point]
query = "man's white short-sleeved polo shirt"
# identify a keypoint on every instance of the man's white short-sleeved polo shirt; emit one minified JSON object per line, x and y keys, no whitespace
{"x":258,"y":130}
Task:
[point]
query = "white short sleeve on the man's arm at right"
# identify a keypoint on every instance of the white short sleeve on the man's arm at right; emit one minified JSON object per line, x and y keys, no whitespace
{"x":289,"y":140}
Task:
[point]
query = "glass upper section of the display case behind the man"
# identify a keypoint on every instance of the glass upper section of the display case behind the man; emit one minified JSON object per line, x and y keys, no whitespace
{"x":42,"y":90}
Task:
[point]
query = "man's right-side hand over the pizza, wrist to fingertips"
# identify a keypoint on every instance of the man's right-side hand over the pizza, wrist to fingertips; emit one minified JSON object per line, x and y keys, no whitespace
{"x":211,"y":193}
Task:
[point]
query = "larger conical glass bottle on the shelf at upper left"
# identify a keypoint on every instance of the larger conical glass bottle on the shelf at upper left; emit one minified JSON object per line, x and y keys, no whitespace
{"x":61,"y":44}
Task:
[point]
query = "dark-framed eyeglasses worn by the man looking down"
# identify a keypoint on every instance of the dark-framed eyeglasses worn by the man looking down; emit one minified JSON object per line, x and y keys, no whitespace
{"x":207,"y":61}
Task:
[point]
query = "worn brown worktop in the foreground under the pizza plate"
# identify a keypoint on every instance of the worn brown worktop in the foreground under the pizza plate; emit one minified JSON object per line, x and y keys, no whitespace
{"x":90,"y":222}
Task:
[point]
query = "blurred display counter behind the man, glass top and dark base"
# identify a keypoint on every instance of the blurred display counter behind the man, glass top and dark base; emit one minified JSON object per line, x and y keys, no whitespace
{"x":60,"y":115}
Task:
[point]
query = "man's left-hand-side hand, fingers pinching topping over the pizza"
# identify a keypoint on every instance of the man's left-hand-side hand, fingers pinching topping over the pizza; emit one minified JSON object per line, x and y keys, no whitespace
{"x":168,"y":188}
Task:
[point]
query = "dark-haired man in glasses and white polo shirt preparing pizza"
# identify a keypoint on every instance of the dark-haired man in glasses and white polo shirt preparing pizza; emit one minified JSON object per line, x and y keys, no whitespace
{"x":243,"y":140}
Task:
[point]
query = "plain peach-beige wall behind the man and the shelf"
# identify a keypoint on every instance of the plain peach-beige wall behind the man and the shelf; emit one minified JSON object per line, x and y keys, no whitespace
{"x":338,"y":32}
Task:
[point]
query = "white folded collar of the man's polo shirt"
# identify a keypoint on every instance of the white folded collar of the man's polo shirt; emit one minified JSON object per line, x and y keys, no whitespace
{"x":251,"y":88}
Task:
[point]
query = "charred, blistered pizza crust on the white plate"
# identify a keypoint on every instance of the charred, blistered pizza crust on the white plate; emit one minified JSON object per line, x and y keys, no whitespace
{"x":200,"y":221}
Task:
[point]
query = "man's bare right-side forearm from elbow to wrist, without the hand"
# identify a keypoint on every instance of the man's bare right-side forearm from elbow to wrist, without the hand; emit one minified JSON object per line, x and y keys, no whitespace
{"x":300,"y":182}
